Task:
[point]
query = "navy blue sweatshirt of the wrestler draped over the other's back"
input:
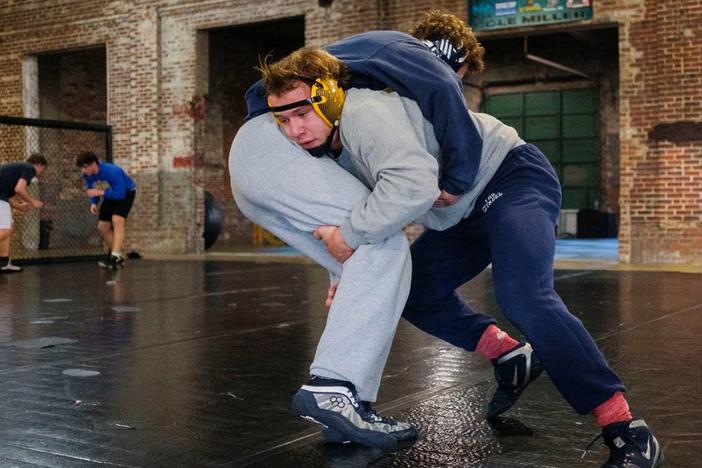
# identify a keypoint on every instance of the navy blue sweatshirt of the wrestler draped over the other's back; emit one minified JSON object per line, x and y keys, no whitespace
{"x":380,"y":59}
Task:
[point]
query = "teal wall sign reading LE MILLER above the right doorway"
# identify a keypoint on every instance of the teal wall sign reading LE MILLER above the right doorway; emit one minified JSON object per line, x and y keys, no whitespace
{"x":499,"y":14}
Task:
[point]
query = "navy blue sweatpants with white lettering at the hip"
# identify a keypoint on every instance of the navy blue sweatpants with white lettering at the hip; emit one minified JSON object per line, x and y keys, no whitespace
{"x":513,"y":227}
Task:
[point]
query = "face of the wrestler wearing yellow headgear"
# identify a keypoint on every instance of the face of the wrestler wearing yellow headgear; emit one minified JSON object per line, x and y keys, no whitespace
{"x":300,"y":124}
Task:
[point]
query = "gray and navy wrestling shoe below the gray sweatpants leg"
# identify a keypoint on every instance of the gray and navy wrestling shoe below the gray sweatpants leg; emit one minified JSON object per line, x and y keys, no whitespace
{"x":334,"y":404}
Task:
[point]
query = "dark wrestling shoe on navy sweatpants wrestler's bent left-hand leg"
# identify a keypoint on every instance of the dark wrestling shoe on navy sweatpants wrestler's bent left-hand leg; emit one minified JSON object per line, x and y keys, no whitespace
{"x":514,"y":371}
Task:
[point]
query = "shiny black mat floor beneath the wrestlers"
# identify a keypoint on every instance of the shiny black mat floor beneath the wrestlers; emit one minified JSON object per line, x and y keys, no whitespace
{"x":193,"y":364}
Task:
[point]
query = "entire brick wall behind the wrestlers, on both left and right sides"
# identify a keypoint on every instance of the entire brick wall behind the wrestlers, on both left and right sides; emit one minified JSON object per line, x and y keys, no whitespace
{"x":154,"y":59}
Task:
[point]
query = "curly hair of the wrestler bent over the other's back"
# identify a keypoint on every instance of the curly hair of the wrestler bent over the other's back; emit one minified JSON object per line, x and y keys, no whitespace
{"x":440,"y":24}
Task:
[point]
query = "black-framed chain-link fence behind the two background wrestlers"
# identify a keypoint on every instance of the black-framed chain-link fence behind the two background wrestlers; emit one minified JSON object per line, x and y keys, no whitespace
{"x":64,"y":228}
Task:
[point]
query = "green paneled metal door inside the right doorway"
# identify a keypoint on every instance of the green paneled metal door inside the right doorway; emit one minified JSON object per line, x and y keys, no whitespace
{"x":564,"y":125}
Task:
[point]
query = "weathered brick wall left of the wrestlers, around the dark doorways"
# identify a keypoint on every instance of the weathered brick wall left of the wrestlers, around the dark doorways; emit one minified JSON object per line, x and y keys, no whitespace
{"x":155,"y":91}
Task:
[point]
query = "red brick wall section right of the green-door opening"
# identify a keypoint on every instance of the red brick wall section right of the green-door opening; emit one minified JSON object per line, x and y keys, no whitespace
{"x":661,"y":129}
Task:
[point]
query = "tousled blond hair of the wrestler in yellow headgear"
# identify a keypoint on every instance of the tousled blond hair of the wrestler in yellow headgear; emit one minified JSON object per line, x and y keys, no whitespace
{"x":308,"y":62}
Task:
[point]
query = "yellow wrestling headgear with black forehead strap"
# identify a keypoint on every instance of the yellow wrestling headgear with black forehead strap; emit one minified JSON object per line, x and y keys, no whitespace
{"x":326,"y":98}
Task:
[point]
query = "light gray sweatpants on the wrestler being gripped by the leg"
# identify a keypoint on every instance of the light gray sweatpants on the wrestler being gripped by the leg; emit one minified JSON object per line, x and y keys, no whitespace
{"x":279,"y":186}
